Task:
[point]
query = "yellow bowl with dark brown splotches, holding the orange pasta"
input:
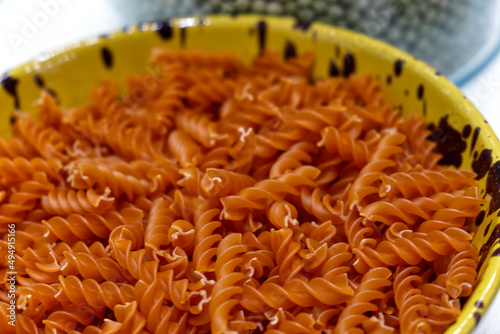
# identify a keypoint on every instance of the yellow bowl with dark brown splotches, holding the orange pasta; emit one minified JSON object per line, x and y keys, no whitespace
{"x":463,"y":136}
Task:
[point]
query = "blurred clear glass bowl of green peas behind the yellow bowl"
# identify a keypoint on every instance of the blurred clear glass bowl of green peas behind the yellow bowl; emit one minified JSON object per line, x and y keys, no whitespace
{"x":456,"y":37}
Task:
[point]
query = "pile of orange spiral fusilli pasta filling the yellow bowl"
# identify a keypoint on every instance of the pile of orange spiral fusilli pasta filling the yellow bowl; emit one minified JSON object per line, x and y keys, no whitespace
{"x":216,"y":197}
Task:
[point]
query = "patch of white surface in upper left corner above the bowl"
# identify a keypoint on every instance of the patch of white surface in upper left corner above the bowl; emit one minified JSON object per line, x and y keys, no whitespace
{"x":29,"y":27}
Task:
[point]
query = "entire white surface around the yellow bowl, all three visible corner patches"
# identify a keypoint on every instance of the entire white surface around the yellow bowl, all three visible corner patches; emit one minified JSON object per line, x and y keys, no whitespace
{"x":72,"y":20}
